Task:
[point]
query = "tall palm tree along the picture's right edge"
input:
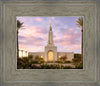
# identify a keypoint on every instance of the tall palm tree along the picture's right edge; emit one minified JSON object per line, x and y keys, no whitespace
{"x":80,"y":24}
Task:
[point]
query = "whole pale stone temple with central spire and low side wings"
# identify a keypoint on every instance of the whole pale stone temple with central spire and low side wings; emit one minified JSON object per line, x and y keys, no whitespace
{"x":50,"y":53}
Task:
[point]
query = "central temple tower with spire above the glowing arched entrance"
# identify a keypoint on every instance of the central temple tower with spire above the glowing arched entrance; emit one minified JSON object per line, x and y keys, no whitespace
{"x":50,"y":49}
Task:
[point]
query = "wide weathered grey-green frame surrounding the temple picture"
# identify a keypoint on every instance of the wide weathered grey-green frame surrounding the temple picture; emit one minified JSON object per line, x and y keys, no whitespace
{"x":90,"y":73}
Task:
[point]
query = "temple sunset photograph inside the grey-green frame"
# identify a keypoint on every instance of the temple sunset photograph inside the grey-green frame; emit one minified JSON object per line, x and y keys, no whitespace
{"x":37,"y":40}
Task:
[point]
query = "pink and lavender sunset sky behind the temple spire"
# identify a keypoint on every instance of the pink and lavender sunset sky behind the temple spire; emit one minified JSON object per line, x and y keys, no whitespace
{"x":34,"y":35}
